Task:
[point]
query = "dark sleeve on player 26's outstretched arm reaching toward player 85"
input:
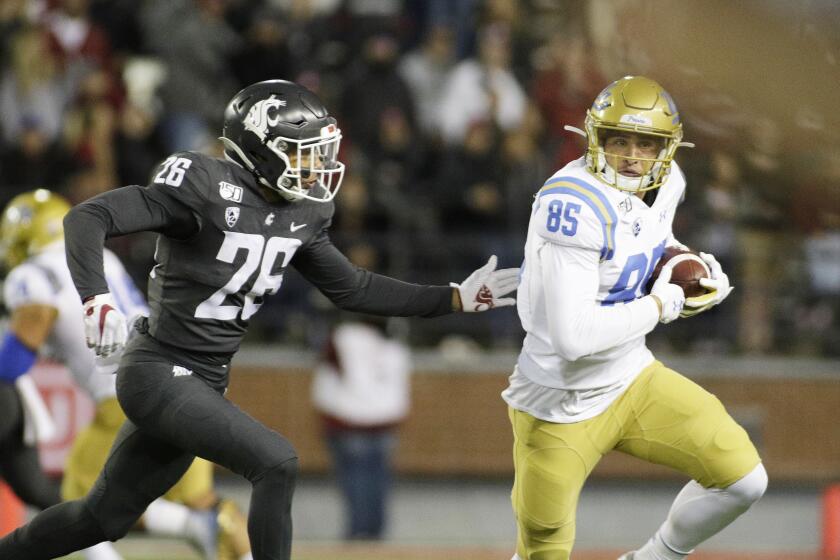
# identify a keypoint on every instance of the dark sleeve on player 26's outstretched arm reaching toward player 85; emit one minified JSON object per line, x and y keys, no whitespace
{"x":355,"y":289}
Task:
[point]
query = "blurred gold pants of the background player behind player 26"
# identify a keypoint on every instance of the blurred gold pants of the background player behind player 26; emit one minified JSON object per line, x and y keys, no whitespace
{"x":90,"y":450}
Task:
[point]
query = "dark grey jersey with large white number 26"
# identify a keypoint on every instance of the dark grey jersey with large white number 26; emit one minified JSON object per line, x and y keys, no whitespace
{"x":205,"y":288}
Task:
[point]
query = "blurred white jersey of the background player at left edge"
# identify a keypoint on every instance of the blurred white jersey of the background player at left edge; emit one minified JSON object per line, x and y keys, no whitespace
{"x":44,"y":279}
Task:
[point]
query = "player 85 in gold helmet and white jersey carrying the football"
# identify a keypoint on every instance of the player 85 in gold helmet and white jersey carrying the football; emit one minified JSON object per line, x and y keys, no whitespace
{"x":585,"y":383}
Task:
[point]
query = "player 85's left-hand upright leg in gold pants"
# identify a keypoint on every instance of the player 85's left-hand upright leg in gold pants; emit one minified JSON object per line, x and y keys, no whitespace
{"x":551,"y":462}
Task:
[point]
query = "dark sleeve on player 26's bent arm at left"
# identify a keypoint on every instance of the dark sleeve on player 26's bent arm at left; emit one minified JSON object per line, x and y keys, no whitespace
{"x":114,"y":213}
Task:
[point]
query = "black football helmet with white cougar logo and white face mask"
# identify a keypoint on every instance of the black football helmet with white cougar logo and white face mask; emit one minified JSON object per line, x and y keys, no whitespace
{"x":282,"y":133}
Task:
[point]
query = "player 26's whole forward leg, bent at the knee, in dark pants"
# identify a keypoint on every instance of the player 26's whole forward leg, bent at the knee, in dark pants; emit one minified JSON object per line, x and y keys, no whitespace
{"x":196,"y":417}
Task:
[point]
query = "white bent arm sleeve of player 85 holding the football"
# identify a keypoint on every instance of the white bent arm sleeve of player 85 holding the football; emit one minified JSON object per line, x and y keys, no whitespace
{"x":578,"y":325}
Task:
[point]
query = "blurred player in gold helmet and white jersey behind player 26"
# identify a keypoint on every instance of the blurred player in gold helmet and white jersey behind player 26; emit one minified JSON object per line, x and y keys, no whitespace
{"x":47,"y":313}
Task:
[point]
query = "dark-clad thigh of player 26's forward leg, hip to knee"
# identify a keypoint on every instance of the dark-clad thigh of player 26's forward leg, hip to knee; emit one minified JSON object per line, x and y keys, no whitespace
{"x":191,"y":415}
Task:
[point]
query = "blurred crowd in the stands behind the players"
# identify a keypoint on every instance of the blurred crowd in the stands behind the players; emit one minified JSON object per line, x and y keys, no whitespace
{"x":453,"y":114}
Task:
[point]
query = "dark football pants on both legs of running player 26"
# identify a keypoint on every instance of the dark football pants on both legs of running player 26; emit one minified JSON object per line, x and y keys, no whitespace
{"x":174,"y":415}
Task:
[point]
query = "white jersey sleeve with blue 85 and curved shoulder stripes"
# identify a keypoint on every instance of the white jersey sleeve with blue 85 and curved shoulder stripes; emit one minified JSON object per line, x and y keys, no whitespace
{"x":575,"y":214}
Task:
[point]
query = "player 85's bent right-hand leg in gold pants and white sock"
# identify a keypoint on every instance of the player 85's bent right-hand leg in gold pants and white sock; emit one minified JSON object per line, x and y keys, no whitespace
{"x":685,"y":427}
